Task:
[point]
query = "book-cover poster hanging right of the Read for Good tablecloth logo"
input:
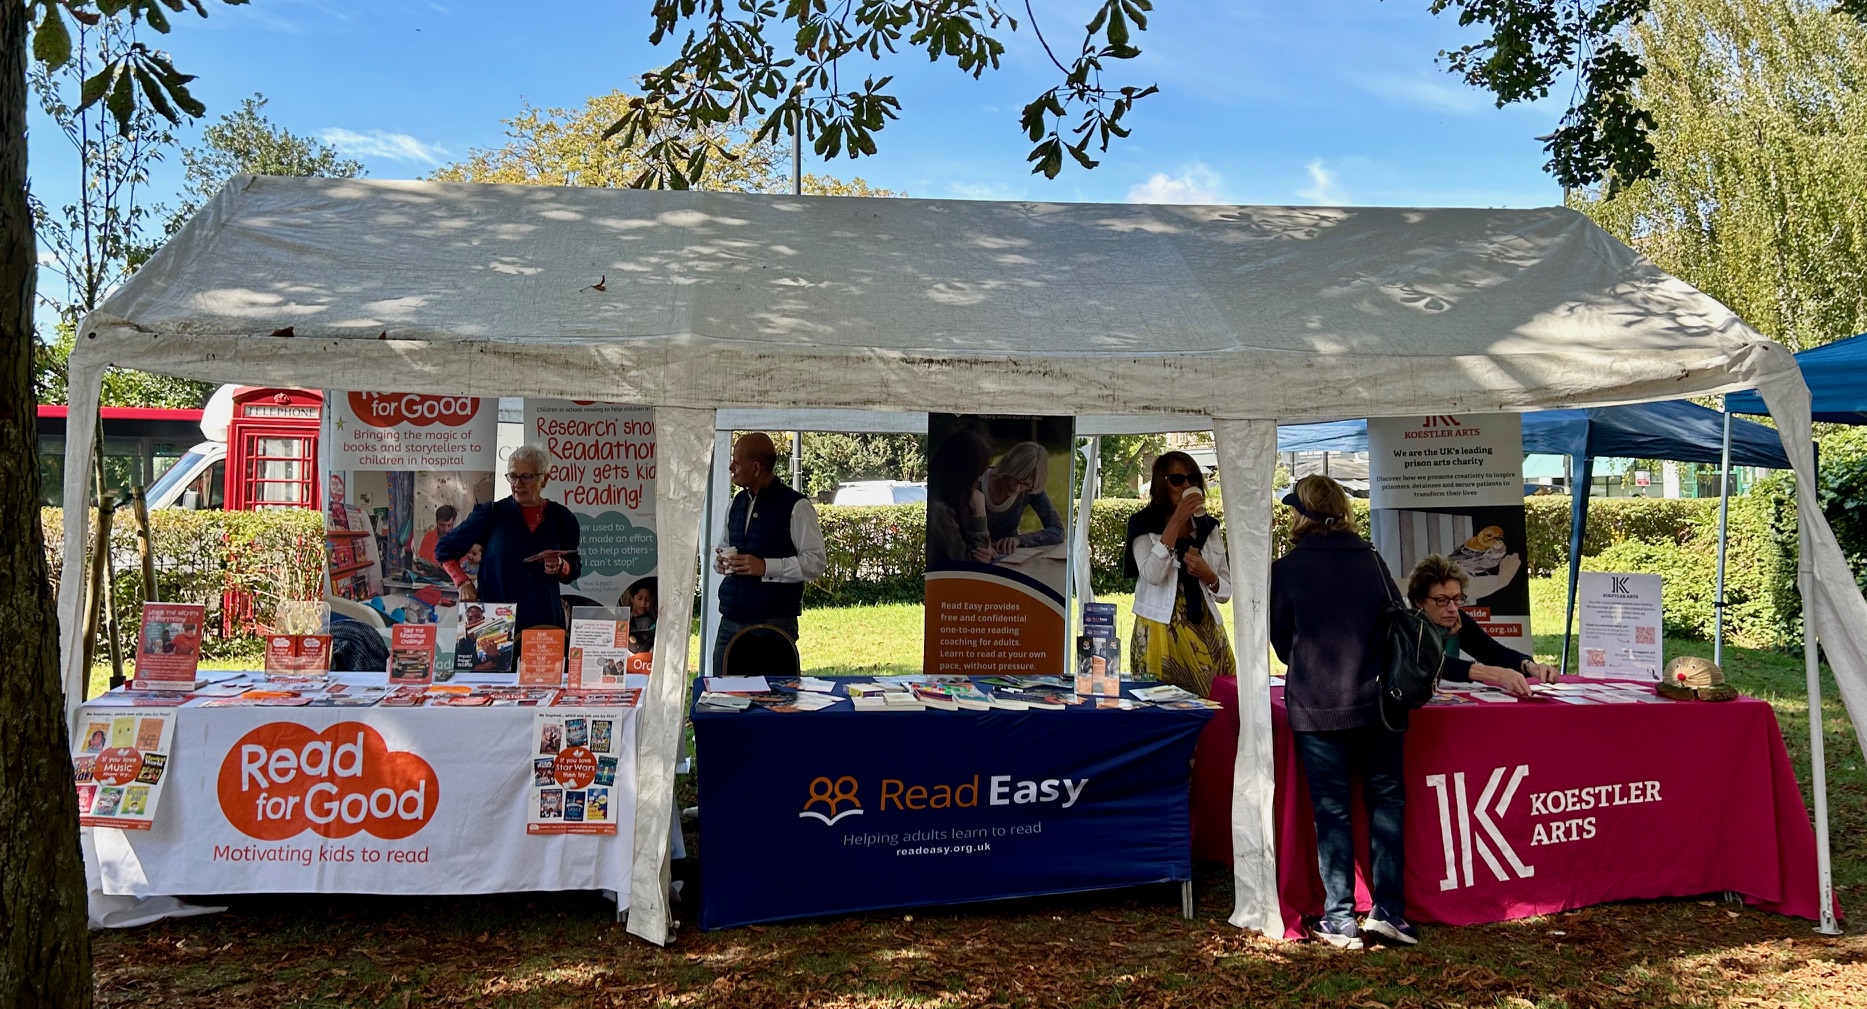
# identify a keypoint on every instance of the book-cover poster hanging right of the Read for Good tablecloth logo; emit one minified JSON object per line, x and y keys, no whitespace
{"x":574,"y":771}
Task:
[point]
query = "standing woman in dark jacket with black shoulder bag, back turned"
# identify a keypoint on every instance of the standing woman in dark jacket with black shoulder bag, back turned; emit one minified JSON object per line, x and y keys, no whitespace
{"x":1328,"y":593}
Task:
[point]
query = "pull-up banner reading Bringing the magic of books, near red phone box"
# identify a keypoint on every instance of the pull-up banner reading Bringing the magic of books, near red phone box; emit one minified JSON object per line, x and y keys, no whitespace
{"x":402,"y":472}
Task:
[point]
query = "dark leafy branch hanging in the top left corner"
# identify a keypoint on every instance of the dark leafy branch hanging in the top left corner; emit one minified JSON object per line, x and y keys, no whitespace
{"x":135,"y":70}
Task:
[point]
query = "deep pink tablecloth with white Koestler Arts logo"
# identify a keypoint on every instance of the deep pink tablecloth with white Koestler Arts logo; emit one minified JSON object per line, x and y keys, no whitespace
{"x":1539,"y":806}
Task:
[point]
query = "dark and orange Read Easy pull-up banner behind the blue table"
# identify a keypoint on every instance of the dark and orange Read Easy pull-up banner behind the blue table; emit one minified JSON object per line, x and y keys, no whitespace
{"x":998,"y":545}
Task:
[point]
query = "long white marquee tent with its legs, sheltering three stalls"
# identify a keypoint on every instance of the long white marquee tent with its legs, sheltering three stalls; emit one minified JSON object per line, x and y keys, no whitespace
{"x":1147,"y":317}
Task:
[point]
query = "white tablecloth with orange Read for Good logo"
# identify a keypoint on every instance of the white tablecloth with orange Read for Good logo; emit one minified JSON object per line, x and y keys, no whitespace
{"x":365,"y":801}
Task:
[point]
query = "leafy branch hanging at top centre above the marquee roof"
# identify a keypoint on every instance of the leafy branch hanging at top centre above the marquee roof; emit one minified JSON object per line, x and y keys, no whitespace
{"x":731,"y":72}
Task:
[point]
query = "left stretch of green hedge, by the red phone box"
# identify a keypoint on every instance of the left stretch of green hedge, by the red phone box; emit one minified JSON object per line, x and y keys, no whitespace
{"x":262,"y":558}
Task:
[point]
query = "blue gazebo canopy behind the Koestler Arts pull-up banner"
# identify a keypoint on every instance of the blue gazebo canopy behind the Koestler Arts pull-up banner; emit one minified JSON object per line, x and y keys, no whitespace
{"x":1670,"y":431}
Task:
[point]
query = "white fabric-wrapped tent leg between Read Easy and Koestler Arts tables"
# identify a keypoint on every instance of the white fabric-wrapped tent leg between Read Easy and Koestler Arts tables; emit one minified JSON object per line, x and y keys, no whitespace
{"x":1248,"y":459}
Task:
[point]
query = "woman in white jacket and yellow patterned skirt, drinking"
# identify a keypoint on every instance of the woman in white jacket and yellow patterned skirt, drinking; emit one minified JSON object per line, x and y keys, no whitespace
{"x":1177,"y":558}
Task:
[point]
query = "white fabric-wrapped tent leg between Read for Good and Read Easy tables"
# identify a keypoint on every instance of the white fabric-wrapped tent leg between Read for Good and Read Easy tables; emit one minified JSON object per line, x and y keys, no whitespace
{"x":686,"y":451}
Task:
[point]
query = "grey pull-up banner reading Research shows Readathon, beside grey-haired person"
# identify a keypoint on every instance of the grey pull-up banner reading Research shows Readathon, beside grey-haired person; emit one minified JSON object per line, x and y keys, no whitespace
{"x":604,"y":470}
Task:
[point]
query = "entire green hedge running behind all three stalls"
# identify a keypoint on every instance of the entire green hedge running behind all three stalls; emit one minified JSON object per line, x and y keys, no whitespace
{"x":877,"y":554}
